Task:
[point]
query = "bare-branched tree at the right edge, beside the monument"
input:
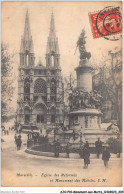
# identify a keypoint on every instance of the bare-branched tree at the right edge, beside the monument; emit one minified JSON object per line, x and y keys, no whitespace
{"x":110,"y":77}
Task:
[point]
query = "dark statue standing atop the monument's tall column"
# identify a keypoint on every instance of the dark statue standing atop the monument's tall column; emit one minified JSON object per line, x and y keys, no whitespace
{"x":81,"y":44}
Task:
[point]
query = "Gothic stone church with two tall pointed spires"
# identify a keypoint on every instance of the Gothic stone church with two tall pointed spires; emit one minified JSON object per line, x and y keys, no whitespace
{"x":40,"y":88}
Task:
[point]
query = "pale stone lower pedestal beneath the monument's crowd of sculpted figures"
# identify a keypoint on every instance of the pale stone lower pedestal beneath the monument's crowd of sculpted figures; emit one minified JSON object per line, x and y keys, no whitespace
{"x":86,"y":122}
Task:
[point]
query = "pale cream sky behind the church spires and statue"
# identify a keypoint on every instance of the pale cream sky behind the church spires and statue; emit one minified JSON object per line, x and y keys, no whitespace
{"x":70,"y":19}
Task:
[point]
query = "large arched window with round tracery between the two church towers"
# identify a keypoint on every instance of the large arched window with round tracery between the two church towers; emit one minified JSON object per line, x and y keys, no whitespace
{"x":40,"y":86}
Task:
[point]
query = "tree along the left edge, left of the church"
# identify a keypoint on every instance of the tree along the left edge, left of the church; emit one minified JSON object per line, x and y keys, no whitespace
{"x":6,"y":80}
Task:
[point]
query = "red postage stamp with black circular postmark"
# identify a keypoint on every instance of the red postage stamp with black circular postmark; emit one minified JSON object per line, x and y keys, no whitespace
{"x":106,"y":22}
